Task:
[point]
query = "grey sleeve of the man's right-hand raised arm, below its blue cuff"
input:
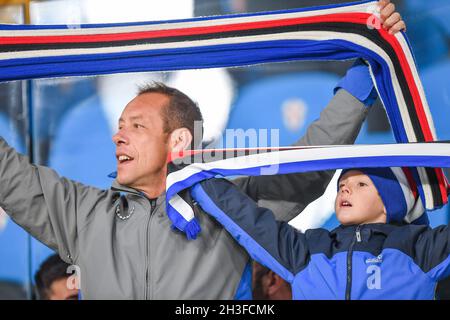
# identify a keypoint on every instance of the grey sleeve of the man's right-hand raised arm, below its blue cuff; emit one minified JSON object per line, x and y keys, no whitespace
{"x":339,"y":123}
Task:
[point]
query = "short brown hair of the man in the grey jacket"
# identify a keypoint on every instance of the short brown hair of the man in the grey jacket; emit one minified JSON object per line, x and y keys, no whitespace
{"x":181,"y":111}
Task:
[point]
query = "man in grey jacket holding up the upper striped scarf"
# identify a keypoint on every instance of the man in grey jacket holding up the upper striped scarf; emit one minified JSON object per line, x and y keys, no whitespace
{"x":121,"y":238}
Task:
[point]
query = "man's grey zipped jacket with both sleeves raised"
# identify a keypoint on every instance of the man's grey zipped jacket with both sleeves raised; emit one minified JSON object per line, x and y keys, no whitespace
{"x":141,"y":257}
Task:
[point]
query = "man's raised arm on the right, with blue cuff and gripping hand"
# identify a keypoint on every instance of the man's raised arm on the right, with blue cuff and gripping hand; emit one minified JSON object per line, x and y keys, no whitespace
{"x":339,"y":123}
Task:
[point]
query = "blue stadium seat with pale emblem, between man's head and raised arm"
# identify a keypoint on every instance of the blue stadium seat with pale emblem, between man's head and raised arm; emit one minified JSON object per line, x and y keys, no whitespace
{"x":288,"y":102}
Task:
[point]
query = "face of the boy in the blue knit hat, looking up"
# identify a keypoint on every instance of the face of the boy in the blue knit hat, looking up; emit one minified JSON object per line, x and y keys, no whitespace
{"x":358,"y":201}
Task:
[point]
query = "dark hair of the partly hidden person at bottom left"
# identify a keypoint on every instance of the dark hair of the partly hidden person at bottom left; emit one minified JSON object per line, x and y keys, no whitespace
{"x":50,"y":270}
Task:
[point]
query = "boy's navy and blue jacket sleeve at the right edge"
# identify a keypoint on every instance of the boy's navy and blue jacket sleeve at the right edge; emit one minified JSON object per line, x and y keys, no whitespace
{"x":432,"y":250}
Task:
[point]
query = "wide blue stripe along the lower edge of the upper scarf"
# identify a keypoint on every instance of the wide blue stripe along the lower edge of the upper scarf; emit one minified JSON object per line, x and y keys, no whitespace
{"x":208,"y":57}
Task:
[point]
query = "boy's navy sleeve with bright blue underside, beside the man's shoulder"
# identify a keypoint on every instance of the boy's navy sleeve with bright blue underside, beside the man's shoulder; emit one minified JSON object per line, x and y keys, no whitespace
{"x":277,"y":245}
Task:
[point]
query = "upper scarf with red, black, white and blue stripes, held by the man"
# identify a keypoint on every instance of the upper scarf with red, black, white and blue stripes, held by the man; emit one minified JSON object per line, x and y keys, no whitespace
{"x":335,"y":32}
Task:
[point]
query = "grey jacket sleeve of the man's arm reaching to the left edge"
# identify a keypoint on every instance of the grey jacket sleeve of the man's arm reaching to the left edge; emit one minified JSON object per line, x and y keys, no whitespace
{"x":50,"y":208}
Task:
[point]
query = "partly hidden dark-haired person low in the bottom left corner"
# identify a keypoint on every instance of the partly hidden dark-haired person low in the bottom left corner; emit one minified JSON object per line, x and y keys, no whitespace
{"x":54,"y":281}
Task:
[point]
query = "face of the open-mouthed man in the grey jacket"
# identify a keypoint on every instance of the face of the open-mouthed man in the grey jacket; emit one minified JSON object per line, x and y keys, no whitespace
{"x":141,"y":143}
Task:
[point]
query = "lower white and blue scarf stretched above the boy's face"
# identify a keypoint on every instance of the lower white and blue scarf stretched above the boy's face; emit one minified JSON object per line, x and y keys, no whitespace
{"x":186,"y":172}
